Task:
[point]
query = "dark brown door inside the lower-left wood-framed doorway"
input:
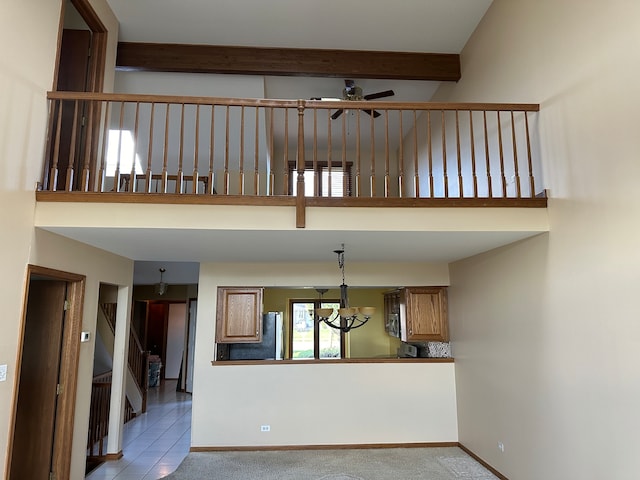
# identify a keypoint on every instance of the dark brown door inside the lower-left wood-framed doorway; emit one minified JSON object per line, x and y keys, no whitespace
{"x":33,"y":441}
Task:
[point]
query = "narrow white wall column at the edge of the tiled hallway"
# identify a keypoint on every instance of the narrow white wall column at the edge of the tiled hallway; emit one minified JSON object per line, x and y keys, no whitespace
{"x":120,"y":350}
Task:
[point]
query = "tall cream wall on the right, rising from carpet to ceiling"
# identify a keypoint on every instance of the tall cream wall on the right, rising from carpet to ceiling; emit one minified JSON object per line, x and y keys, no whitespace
{"x":546,"y":333}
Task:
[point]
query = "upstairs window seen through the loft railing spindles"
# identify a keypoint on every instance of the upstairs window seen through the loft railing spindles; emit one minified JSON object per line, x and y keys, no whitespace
{"x":331,"y":183}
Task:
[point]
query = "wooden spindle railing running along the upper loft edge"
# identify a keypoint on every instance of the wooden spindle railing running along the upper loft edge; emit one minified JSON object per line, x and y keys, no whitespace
{"x":252,"y":147}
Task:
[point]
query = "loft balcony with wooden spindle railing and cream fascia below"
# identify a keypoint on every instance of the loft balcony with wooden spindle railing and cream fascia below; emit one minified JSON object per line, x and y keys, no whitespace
{"x":309,"y":164}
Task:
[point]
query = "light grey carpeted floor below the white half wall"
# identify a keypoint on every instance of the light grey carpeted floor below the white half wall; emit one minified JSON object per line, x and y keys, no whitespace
{"x":368,"y":464}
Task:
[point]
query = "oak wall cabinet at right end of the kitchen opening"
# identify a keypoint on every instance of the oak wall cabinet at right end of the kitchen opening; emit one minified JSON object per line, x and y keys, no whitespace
{"x":424,"y":314}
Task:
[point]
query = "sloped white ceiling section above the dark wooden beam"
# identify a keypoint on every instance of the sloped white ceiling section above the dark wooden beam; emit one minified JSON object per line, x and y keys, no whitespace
{"x":435,"y":26}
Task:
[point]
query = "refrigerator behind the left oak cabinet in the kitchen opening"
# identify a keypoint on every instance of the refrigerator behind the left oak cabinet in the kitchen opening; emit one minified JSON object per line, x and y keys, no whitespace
{"x":272,"y":345}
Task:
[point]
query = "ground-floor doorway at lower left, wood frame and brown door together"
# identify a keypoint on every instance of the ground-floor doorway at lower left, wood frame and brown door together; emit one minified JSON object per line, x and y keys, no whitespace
{"x":44,"y":404}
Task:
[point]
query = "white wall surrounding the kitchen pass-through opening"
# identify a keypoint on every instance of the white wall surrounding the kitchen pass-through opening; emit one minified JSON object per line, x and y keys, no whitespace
{"x":387,"y":403}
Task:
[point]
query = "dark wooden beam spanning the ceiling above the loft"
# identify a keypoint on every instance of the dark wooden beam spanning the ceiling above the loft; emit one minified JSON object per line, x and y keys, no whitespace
{"x":163,"y":57}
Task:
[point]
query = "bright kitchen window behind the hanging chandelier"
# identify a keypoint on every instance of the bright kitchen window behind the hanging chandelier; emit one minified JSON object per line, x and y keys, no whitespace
{"x":310,"y":339}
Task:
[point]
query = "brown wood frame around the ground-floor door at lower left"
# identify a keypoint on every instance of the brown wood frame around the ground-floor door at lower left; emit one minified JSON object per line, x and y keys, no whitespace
{"x":69,"y":360}
